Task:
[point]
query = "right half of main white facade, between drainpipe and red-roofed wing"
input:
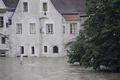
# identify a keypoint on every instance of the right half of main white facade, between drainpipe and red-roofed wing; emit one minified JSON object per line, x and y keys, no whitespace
{"x":55,"y":39}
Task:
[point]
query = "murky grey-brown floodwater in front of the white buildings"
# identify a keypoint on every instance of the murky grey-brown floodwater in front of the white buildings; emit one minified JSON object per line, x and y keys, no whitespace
{"x":48,"y":69}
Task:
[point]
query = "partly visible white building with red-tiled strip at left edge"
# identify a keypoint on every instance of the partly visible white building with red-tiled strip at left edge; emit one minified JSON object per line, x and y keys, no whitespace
{"x":6,"y":12}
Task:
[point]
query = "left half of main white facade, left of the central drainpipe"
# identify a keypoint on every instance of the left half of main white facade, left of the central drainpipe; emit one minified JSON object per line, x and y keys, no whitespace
{"x":25,"y":39}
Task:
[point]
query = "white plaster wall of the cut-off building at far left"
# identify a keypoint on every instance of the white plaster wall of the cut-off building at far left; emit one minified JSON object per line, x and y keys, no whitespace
{"x":4,"y":30}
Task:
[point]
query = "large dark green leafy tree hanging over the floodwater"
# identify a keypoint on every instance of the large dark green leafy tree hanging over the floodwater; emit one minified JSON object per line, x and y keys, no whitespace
{"x":101,"y":36}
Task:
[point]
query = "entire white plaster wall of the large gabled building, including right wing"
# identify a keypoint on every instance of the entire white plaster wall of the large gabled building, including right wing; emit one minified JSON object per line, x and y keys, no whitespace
{"x":40,"y":39}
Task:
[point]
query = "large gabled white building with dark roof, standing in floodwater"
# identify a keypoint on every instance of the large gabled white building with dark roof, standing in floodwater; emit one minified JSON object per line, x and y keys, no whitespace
{"x":44,"y":27}
